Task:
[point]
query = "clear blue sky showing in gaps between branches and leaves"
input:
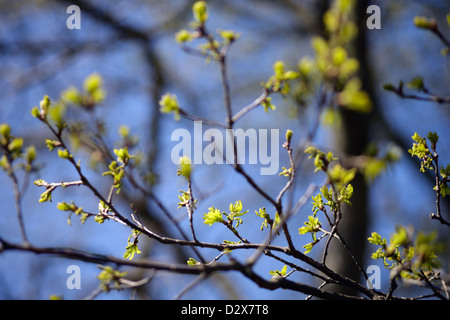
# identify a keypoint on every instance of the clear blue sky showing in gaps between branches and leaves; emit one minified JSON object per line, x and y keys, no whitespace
{"x":401,"y":195}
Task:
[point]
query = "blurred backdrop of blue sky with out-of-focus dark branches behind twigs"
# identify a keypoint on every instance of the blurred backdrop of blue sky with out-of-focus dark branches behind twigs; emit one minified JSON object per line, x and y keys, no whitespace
{"x":131,"y":44}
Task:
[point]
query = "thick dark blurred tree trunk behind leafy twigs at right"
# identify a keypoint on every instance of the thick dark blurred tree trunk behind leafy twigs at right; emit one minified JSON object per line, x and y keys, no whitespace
{"x":352,"y":138}
